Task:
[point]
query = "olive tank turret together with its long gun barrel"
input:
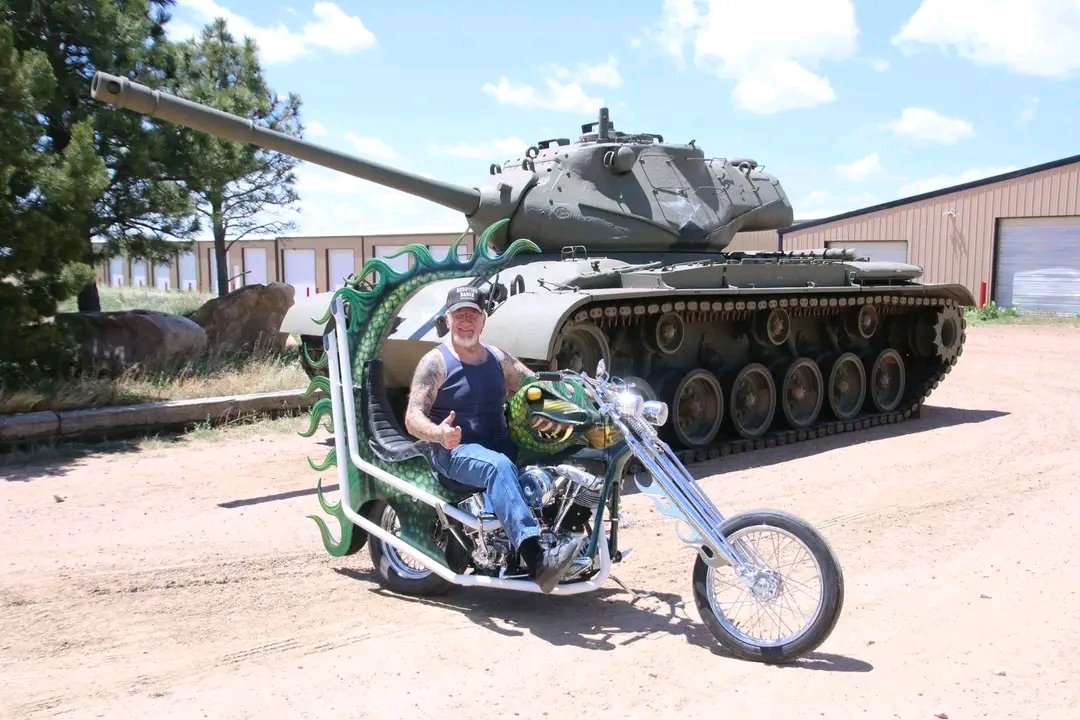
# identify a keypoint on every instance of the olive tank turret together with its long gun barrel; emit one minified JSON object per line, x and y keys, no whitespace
{"x":606,"y":192}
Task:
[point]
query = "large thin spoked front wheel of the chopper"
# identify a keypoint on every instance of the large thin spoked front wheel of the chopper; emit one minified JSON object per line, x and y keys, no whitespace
{"x":790,"y":600}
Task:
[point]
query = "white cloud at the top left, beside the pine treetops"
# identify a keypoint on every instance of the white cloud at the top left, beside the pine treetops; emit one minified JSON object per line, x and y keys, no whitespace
{"x":332,"y":30}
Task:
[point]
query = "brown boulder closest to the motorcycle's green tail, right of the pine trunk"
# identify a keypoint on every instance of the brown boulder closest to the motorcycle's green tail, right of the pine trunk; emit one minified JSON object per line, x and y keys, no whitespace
{"x":247,"y":319}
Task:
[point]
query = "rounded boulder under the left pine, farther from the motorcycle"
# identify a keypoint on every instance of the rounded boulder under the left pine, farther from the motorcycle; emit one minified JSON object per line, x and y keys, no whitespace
{"x":116,"y":342}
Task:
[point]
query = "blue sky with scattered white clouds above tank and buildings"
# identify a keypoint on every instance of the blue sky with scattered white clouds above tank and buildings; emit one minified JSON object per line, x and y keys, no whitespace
{"x":849,"y":104}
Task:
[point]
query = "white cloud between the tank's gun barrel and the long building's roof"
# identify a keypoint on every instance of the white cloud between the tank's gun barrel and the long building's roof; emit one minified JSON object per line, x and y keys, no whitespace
{"x":336,"y":205}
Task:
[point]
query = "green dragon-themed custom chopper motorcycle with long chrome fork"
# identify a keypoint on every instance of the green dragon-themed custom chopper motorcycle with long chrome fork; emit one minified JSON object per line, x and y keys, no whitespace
{"x":766,"y":583}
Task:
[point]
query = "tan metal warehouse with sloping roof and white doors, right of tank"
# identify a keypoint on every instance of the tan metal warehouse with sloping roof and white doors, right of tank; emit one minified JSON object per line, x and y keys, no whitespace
{"x":1014,"y":239}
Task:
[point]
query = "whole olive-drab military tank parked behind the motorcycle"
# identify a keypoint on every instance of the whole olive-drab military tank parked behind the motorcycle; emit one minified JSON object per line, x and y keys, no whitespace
{"x":750,"y":349}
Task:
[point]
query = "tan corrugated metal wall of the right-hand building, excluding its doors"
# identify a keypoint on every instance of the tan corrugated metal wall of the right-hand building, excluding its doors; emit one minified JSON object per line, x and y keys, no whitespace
{"x":951,"y":237}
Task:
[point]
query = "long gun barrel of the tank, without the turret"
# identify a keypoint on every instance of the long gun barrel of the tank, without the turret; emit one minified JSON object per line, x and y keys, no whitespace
{"x":124,"y":93}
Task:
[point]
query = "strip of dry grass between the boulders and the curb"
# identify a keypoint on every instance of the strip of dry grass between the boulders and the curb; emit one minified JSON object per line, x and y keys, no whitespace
{"x":210,"y":376}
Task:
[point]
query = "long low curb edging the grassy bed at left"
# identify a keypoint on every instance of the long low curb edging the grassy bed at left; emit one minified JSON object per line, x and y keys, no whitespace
{"x":144,"y":419}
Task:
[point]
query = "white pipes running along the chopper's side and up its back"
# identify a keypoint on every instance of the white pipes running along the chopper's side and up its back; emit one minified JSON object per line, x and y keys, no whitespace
{"x":343,"y":403}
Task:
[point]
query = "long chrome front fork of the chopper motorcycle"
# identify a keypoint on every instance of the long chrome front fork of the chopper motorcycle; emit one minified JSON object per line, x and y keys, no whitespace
{"x":682,"y":490}
